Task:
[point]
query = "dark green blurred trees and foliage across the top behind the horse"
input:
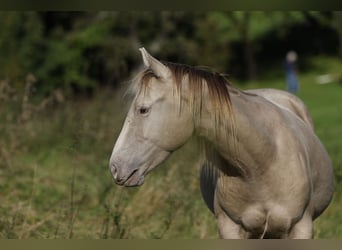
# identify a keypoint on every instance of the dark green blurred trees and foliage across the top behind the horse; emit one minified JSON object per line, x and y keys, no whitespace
{"x":77,"y":51}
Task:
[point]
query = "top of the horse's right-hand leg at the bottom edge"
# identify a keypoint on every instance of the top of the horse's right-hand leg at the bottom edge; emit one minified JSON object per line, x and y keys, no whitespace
{"x":303,"y":229}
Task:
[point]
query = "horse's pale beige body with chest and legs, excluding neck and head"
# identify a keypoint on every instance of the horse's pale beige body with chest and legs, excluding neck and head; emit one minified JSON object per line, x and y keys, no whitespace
{"x":286,"y":179}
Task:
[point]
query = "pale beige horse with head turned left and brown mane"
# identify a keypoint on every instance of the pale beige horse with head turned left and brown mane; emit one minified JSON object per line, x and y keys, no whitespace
{"x":264,"y":172}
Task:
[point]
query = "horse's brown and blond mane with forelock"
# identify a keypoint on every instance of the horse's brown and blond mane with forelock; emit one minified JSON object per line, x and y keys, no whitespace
{"x":199,"y":79}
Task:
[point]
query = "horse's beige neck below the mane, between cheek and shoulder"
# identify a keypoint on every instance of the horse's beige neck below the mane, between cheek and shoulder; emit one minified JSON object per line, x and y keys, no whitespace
{"x":238,"y":151}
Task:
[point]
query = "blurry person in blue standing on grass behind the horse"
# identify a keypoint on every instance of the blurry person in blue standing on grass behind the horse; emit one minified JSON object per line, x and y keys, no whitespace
{"x":290,"y":71}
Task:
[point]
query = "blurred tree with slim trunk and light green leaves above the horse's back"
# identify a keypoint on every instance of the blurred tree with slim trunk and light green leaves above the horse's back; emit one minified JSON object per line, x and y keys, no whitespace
{"x":246,"y":27}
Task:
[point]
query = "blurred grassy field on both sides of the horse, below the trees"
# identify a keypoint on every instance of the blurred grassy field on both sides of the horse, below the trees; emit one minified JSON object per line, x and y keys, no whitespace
{"x":55,"y":181}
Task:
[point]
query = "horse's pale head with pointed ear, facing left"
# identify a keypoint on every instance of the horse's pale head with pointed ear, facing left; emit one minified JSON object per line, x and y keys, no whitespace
{"x":154,"y":127}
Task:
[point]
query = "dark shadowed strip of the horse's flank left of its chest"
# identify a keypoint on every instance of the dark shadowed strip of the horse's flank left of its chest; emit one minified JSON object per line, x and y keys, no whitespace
{"x":208,"y":180}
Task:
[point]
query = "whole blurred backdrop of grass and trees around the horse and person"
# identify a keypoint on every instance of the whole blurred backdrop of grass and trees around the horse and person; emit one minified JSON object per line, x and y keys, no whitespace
{"x":62,"y":79}
